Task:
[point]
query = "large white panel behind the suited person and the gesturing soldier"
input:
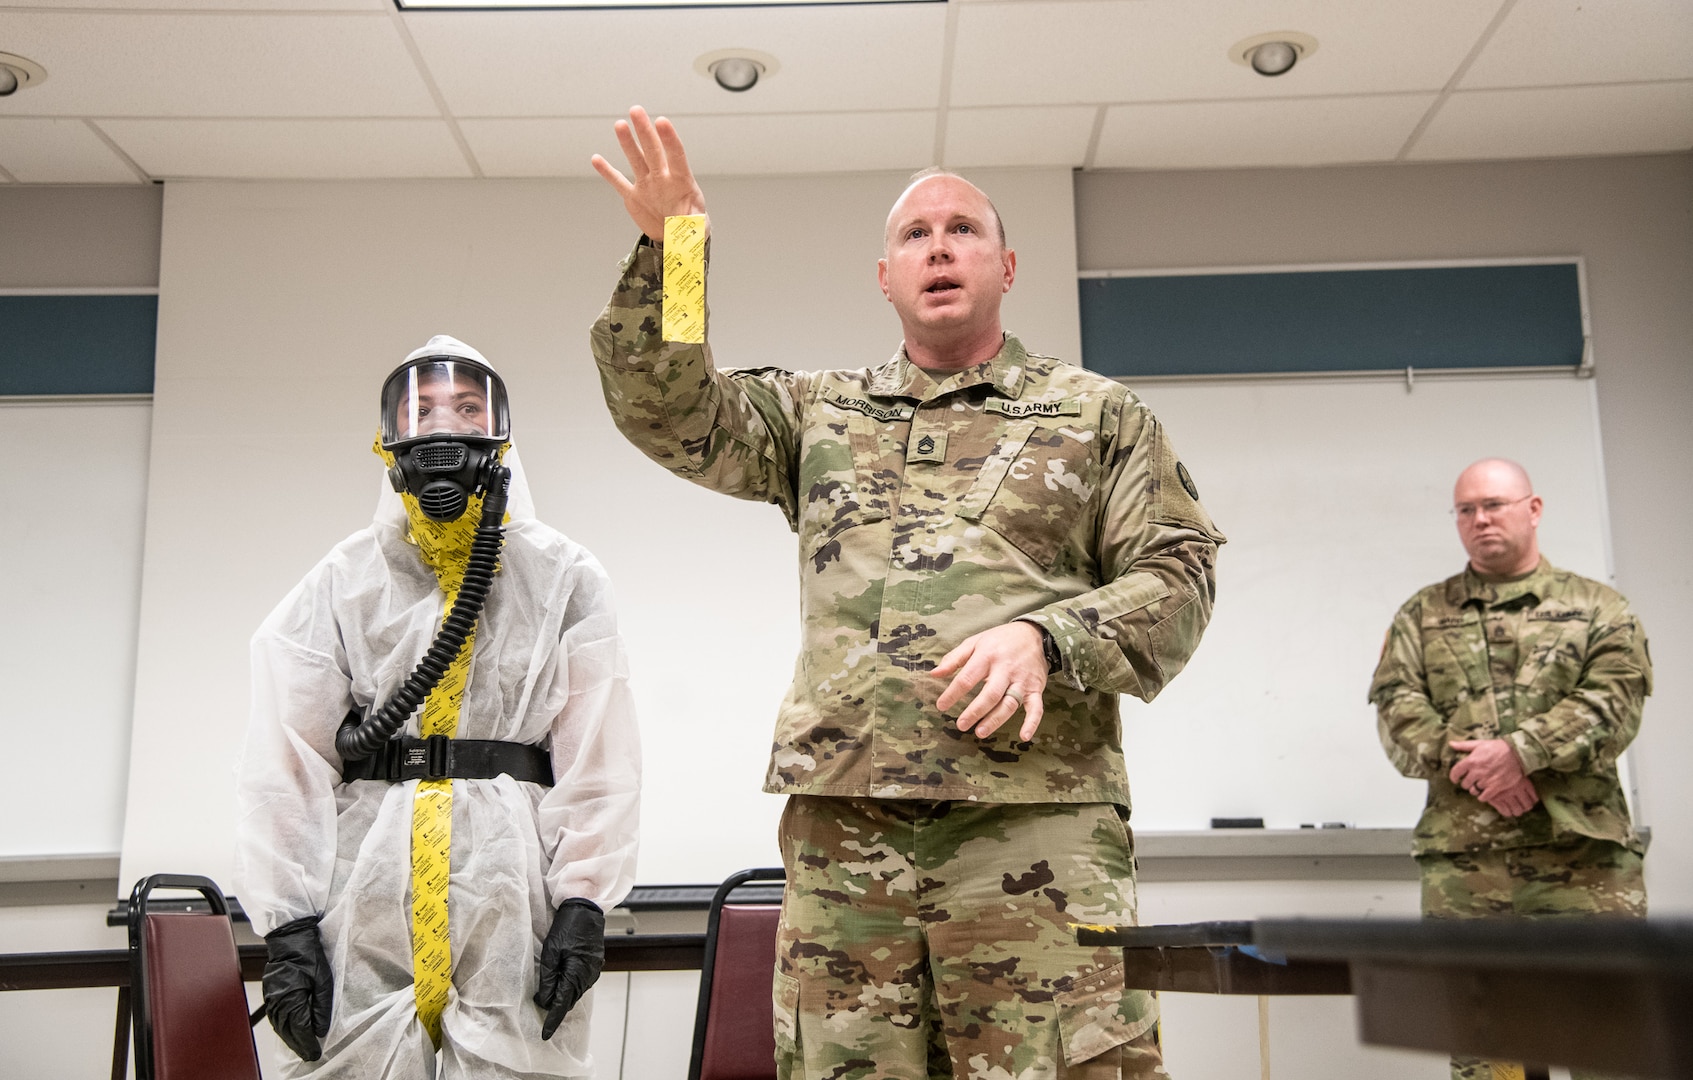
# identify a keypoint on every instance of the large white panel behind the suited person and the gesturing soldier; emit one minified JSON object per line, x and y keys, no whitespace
{"x":282,"y":311}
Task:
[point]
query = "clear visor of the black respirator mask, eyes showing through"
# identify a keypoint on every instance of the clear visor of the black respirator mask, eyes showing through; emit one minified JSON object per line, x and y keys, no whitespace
{"x":444,"y":397}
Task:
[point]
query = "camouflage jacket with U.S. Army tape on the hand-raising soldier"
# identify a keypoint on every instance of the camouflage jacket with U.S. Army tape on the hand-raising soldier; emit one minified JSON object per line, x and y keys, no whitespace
{"x":929,"y":510}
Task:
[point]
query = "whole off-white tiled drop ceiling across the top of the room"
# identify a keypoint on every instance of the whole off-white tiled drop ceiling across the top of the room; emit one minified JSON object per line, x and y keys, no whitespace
{"x":358,"y":89}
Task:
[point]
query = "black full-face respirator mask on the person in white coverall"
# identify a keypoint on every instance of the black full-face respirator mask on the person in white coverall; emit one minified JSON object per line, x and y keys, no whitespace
{"x":444,"y":421}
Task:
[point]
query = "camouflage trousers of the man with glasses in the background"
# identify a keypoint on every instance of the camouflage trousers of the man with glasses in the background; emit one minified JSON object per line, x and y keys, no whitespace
{"x":1589,"y":878}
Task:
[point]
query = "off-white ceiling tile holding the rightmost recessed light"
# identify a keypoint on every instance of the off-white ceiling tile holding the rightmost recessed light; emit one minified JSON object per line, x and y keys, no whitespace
{"x":1101,"y":52}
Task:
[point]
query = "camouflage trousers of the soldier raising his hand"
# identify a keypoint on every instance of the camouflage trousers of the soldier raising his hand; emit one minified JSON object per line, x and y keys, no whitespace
{"x":935,"y":942}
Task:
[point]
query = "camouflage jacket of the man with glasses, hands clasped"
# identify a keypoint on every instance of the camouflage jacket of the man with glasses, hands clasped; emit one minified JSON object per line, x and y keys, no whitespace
{"x":1555,"y":664}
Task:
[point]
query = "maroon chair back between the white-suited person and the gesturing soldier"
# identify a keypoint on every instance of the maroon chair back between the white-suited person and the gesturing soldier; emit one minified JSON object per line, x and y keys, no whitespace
{"x":734,"y":1037}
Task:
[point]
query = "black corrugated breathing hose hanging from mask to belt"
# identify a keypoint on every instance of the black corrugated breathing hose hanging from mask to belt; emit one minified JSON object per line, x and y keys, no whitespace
{"x":360,"y":739}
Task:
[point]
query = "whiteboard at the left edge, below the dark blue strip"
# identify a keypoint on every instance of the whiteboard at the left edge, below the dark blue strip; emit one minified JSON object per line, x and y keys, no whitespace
{"x":75,"y":495}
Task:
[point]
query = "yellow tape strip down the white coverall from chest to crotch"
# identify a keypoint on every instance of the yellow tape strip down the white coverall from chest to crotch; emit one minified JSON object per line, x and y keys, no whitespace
{"x":433,"y":847}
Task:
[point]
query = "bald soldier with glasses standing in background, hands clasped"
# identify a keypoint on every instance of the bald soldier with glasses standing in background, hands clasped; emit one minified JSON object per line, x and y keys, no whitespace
{"x":1513,"y":688}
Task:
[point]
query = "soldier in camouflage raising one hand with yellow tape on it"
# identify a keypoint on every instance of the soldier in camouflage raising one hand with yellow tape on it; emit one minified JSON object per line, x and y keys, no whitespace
{"x":969,"y":515}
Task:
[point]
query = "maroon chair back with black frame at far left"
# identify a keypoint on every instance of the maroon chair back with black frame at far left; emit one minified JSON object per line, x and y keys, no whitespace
{"x":190,"y":1005}
